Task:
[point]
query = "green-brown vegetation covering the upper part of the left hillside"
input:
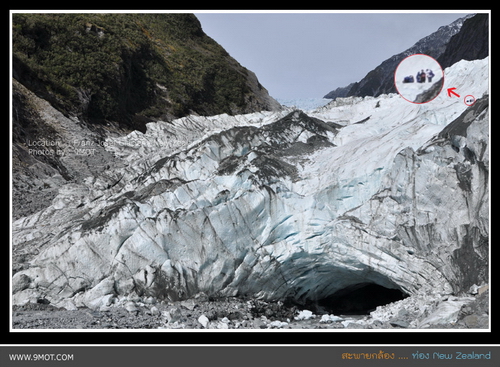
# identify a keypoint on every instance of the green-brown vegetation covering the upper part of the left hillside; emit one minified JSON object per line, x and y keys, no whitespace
{"x":125,"y":67}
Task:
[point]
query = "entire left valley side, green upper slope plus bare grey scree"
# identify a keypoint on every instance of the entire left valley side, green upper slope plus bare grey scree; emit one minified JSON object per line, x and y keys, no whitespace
{"x":81,"y":78}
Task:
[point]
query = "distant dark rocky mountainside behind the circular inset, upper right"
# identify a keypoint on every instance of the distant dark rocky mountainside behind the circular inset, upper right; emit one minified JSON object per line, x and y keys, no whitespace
{"x":381,"y":79}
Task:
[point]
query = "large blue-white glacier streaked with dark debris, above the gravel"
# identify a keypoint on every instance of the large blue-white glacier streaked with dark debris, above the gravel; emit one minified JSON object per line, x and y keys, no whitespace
{"x":277,"y":205}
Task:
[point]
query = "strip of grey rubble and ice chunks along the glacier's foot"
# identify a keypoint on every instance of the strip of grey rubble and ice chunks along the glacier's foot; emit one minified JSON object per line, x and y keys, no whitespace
{"x":232,"y":313}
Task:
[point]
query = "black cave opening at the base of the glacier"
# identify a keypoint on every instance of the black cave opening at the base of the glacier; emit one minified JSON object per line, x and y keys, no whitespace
{"x":358,"y":299}
